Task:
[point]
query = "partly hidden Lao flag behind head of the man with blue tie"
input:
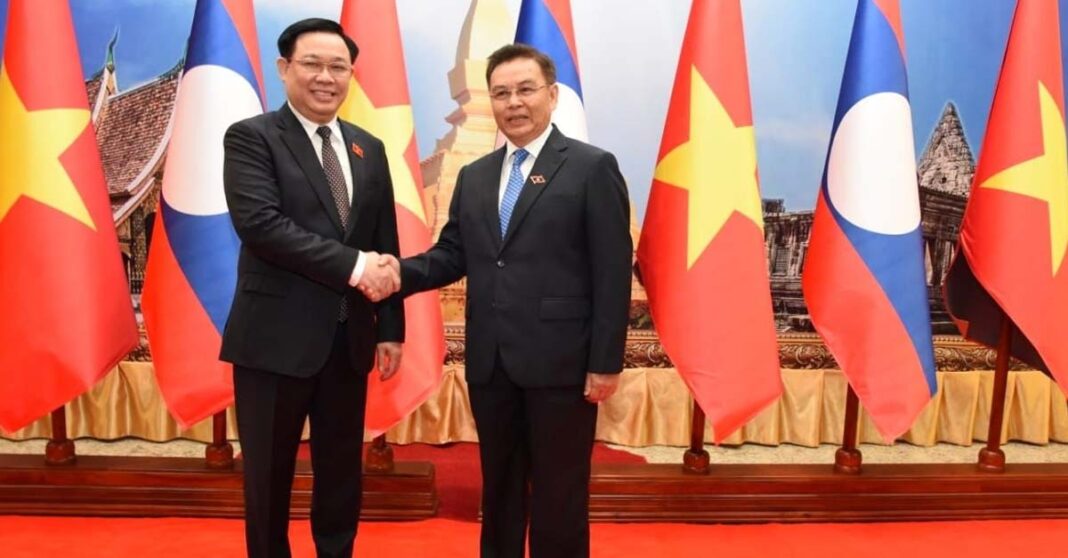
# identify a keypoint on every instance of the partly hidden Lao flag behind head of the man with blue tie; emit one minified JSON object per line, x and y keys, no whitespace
{"x":546,"y":25}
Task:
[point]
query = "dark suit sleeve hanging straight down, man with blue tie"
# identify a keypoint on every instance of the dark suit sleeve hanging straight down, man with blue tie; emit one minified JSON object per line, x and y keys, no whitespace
{"x":611,"y":250}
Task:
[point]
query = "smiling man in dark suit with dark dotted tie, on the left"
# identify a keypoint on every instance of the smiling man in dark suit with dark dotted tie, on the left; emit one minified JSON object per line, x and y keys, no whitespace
{"x":308,"y":194}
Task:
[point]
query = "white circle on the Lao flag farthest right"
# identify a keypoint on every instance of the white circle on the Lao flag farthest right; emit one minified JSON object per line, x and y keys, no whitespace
{"x":872,"y":170}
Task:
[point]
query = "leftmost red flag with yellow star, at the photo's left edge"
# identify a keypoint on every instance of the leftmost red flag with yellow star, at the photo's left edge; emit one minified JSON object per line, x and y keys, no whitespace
{"x":68,"y":317}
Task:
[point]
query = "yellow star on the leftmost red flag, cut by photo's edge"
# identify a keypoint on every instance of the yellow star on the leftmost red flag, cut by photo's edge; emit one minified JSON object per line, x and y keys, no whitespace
{"x":32,"y":145}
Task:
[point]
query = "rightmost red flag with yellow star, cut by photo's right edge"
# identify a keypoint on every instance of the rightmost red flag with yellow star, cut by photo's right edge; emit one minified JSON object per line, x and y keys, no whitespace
{"x":1015,"y":234}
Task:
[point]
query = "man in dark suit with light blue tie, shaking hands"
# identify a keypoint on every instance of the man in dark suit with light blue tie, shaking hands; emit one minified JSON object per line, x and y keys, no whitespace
{"x":541,"y":229}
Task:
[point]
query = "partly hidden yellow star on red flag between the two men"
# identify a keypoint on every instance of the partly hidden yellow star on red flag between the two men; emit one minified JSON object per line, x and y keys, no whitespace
{"x":395,"y":126}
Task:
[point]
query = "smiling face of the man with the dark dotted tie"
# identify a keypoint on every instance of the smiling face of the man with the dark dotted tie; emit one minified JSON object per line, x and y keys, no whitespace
{"x":317,"y":76}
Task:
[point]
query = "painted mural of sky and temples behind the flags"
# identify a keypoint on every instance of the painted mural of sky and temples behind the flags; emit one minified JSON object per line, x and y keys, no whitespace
{"x":132,"y":53}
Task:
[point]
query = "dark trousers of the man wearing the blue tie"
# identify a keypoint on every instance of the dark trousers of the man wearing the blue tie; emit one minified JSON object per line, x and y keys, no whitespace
{"x":536,"y":447}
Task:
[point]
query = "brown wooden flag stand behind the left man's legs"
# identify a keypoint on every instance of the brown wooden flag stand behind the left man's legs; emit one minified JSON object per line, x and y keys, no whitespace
{"x":65,"y":485}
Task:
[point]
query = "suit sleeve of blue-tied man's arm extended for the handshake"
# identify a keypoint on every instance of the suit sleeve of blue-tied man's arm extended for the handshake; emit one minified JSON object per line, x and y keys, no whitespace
{"x":445,"y":263}
